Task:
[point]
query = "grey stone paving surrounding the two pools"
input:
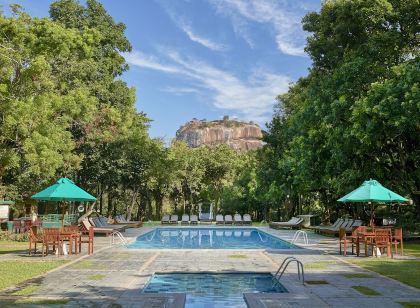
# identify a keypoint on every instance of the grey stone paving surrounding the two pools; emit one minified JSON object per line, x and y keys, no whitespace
{"x":114,"y":276}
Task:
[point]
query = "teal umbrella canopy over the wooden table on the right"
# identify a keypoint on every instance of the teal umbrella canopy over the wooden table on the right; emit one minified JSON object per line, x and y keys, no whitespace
{"x":372,"y":191}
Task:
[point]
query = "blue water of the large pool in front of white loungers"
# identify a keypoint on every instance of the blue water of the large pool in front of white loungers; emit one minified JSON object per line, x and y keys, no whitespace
{"x":209,"y":238}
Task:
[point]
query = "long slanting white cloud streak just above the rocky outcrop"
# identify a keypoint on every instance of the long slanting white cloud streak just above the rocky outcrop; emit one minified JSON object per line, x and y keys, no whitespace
{"x":251,"y":98}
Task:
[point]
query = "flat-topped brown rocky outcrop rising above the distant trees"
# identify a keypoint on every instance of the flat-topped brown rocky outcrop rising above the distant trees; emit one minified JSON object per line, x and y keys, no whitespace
{"x":238,"y":135}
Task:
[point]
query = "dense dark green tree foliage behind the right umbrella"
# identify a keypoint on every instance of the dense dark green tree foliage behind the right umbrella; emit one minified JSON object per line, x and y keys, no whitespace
{"x":355,"y":116}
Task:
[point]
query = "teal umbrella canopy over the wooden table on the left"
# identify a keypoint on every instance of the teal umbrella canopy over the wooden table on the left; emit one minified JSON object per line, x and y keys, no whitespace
{"x":63,"y":190}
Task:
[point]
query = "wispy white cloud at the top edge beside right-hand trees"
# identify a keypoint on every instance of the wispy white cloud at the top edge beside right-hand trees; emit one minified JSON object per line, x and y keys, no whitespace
{"x":286,"y":23}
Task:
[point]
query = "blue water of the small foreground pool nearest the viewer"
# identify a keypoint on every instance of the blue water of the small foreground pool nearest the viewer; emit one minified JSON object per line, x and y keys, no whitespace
{"x":205,"y":290}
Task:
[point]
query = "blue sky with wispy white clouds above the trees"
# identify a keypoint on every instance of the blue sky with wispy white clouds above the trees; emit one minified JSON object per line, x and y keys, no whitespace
{"x":207,"y":58}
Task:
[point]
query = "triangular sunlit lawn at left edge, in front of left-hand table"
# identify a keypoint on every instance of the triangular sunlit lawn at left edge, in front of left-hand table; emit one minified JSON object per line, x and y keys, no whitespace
{"x":14,"y":272}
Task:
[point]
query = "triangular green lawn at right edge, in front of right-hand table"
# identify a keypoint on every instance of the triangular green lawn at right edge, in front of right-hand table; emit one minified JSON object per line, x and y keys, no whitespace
{"x":406,"y":271}
